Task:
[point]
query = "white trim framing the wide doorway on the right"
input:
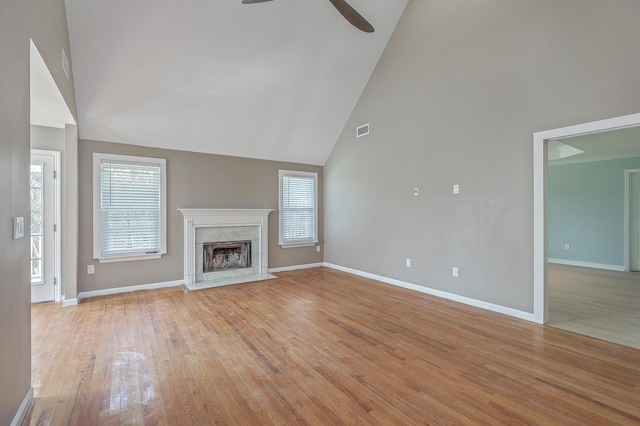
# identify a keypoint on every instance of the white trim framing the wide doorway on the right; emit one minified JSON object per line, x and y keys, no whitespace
{"x":540,"y":302}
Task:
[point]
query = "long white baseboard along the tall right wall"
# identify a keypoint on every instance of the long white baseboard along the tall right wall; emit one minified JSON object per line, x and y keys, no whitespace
{"x":456,"y":298}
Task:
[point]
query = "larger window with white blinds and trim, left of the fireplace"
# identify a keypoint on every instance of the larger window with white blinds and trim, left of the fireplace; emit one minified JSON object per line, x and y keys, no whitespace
{"x":129,"y":207}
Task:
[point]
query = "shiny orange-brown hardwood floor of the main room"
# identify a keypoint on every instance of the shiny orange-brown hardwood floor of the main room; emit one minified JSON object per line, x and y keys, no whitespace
{"x":317,"y":347}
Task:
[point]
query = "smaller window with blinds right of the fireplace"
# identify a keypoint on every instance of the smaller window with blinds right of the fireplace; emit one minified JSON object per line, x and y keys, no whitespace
{"x":298,"y":208}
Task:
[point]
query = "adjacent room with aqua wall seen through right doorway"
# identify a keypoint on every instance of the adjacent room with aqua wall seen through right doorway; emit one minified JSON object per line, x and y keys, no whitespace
{"x":594,"y":244}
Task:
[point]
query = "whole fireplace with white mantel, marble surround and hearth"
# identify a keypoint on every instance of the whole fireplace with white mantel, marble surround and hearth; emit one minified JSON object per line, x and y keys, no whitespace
{"x":225,"y":246}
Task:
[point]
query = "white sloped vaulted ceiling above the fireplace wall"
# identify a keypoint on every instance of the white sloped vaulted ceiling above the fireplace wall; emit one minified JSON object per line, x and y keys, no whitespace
{"x":275,"y":80}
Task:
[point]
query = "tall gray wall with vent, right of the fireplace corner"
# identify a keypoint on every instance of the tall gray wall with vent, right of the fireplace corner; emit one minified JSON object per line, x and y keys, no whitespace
{"x":455,"y":99}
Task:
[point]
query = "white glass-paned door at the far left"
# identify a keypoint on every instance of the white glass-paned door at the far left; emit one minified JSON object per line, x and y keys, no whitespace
{"x":43,"y":198}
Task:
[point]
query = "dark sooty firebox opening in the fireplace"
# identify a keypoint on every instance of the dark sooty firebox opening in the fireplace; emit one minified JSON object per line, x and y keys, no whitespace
{"x":224,"y":256}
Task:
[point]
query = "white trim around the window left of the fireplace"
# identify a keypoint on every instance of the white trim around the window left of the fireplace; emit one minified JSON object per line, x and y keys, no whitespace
{"x":97,"y":237}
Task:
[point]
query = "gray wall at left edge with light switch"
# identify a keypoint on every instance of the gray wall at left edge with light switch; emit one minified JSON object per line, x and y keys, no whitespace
{"x":45,"y":22}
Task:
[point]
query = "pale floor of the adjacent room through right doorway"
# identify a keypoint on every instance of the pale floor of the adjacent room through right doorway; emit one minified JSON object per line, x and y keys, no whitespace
{"x":595,"y":302}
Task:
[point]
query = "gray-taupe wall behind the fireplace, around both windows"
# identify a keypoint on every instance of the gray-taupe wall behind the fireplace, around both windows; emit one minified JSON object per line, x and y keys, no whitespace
{"x":193,"y":181}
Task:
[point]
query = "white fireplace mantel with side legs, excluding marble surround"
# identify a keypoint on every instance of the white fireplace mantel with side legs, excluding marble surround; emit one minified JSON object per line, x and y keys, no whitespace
{"x":211,"y":218}
